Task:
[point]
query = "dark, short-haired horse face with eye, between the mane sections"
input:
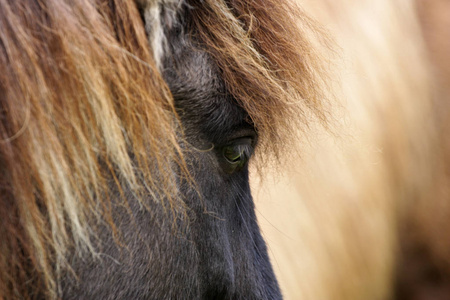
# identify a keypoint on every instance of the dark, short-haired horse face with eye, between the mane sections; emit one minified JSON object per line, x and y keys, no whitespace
{"x":213,"y":249}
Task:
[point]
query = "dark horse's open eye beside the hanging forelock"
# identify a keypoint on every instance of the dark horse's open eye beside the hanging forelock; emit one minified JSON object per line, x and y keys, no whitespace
{"x":237,"y":154}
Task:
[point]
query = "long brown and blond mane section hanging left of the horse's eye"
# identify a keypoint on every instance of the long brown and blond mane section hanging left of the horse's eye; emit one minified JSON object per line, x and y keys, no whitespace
{"x":82,"y":104}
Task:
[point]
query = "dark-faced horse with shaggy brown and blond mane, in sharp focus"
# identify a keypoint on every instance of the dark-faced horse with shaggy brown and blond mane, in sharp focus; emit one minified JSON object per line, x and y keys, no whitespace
{"x":126,"y":133}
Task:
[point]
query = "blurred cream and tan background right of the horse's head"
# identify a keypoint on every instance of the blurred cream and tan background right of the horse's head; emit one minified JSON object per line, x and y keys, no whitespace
{"x":363,"y":210}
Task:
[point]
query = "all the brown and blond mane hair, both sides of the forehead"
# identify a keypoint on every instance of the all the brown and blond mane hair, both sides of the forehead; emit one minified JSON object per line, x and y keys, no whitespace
{"x":84,"y":108}
